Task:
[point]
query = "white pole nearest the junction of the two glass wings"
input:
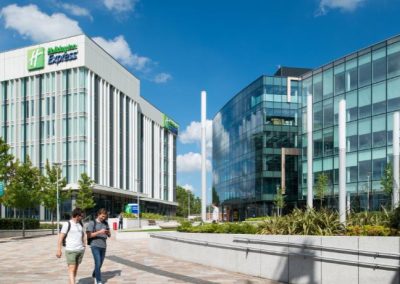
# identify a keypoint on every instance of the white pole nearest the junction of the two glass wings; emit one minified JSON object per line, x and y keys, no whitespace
{"x":309,"y":153}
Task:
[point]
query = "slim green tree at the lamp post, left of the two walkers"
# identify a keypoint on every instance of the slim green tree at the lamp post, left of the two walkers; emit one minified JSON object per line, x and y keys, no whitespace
{"x":49,"y":191}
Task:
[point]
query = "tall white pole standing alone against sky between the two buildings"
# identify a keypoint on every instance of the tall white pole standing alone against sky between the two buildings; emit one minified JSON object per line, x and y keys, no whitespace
{"x":203,"y":156}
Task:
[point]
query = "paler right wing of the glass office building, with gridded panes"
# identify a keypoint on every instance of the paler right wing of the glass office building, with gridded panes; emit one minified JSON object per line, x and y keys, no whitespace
{"x":369,"y":82}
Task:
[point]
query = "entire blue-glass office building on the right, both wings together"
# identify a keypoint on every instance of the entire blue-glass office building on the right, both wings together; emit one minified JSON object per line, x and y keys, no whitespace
{"x":368,"y":80}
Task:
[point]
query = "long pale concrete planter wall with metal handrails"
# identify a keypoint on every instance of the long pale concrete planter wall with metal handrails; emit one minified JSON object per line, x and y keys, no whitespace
{"x":289,"y":259}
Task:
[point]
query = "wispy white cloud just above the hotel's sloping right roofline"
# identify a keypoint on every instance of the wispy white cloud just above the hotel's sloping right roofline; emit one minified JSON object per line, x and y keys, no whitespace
{"x":120,"y":50}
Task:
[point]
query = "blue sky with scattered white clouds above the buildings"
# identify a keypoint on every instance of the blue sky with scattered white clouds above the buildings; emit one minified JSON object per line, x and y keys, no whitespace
{"x":179,"y":47}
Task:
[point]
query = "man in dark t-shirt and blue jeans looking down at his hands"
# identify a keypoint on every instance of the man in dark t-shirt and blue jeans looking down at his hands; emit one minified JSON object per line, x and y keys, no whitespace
{"x":97,"y":233}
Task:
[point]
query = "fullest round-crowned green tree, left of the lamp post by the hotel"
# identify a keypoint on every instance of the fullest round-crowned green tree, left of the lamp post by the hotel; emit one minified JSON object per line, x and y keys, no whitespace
{"x":24,"y":188}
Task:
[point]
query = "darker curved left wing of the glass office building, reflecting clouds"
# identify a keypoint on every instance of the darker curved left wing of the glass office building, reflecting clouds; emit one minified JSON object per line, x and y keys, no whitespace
{"x":251,"y":135}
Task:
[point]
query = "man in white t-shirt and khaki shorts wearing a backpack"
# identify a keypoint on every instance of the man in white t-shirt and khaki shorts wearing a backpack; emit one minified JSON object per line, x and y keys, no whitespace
{"x":72,"y":235}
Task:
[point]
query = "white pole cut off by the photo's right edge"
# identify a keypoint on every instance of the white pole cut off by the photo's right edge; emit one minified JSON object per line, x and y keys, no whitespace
{"x":396,"y":122}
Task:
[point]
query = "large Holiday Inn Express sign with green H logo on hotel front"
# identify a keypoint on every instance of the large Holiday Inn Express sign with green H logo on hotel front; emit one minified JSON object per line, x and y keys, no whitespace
{"x":55,"y":55}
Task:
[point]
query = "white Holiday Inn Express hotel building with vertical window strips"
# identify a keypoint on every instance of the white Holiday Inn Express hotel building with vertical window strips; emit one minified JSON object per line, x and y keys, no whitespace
{"x":68,"y":101}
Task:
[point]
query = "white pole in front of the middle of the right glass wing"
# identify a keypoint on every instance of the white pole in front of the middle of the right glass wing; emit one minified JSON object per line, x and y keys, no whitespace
{"x":342,"y":161}
